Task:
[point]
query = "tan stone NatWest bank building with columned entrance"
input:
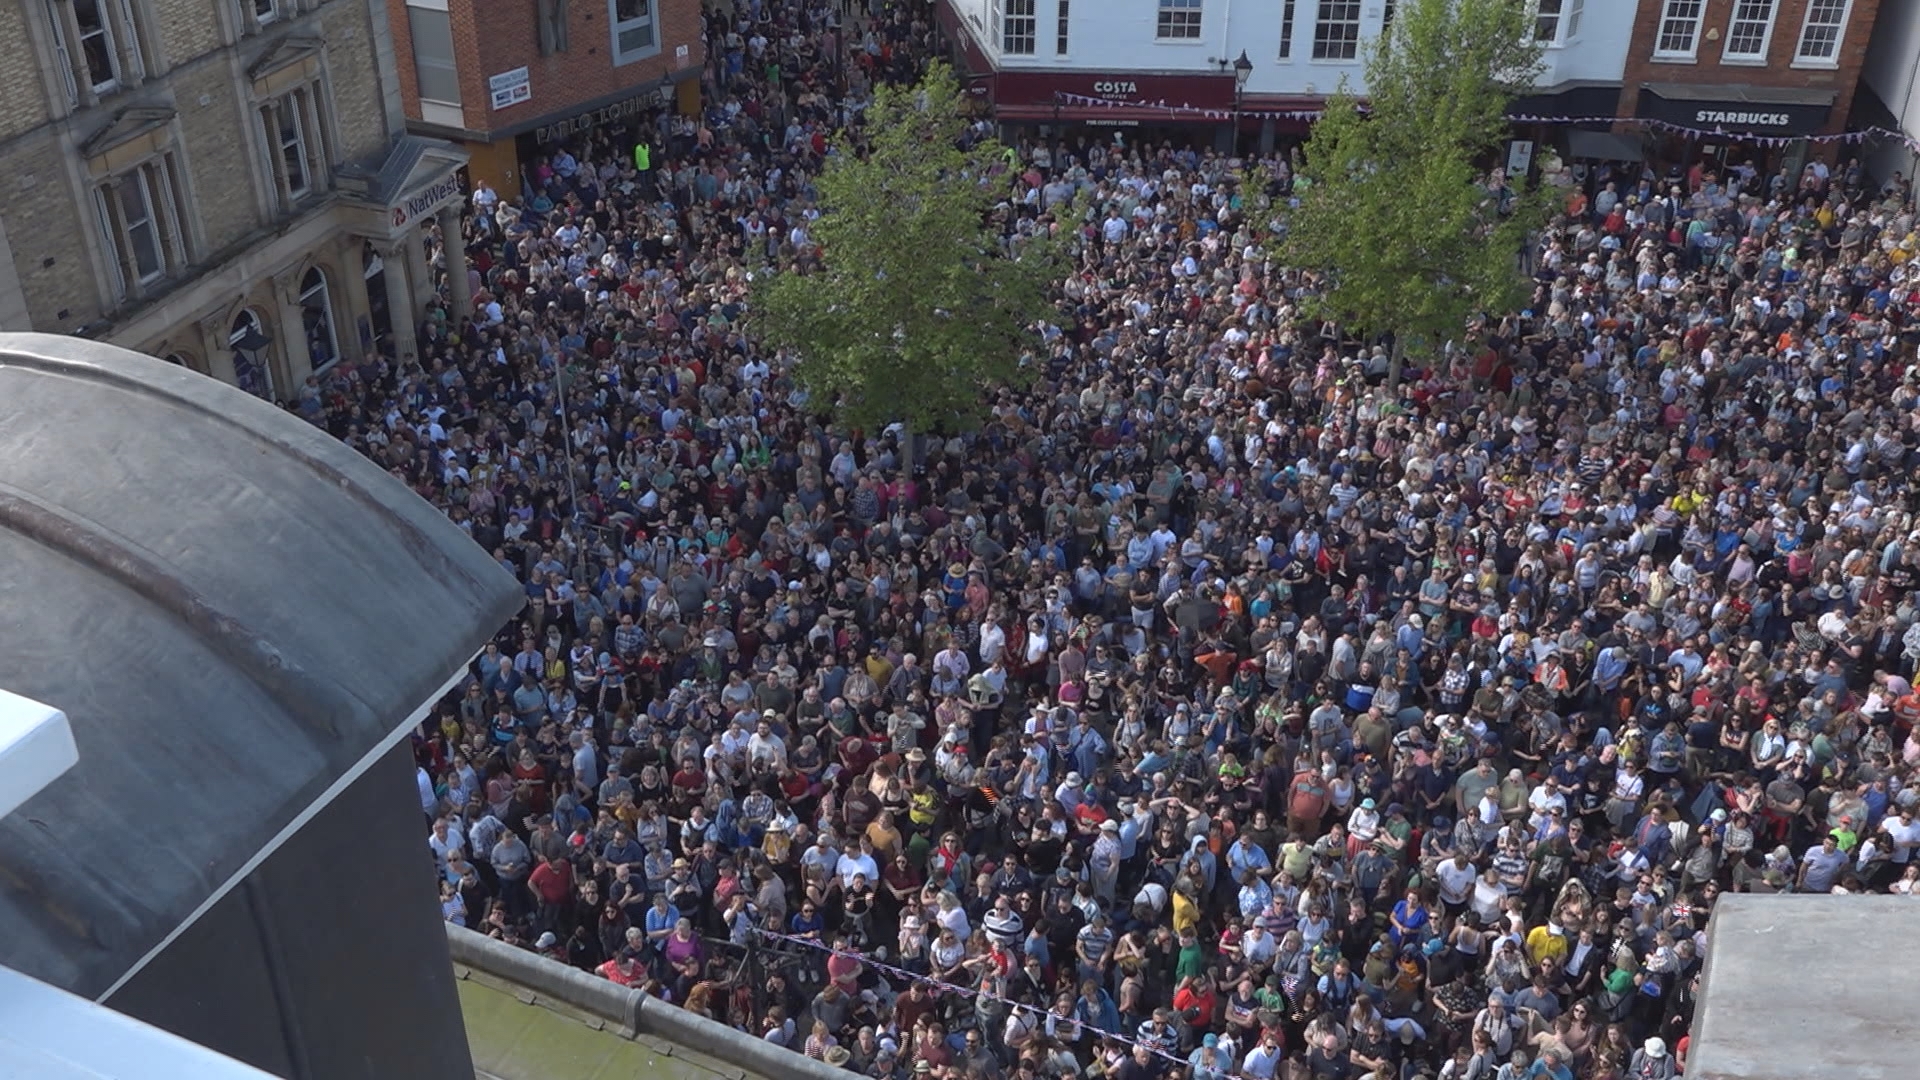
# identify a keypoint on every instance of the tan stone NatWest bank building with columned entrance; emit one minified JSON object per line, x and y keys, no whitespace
{"x":220,"y":184}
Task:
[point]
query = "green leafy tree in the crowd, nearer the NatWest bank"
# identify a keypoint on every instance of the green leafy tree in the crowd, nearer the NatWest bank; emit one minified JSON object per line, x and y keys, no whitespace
{"x":917,"y":303}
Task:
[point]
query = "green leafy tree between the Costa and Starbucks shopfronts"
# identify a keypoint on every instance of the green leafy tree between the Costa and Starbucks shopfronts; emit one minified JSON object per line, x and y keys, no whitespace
{"x":1397,"y":212}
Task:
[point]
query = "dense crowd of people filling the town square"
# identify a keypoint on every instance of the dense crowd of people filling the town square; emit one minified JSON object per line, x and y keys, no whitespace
{"x":1216,"y":710}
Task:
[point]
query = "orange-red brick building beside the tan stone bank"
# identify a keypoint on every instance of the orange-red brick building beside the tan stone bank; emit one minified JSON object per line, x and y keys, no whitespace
{"x":512,"y":78}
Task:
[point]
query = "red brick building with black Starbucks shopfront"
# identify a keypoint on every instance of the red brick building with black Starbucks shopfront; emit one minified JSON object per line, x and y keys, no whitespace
{"x":1750,"y":70}
